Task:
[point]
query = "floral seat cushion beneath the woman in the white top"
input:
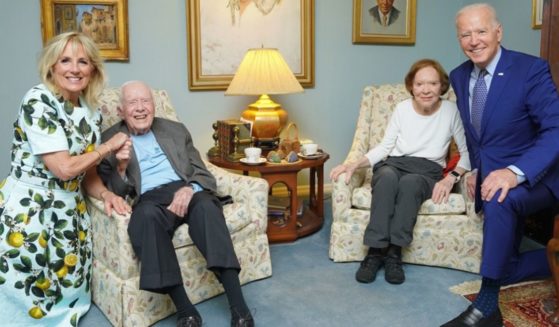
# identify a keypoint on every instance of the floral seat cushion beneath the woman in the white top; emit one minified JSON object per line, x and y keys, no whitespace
{"x":361,"y":199}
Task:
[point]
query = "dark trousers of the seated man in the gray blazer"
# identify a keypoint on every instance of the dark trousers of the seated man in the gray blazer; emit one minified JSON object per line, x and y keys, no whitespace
{"x":151,"y":231}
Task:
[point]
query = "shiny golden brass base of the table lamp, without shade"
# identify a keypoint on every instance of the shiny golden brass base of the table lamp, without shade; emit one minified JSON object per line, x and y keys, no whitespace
{"x":267,"y":117}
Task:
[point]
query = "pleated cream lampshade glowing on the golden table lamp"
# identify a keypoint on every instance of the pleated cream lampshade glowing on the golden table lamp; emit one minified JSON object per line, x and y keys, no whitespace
{"x":263,"y":71}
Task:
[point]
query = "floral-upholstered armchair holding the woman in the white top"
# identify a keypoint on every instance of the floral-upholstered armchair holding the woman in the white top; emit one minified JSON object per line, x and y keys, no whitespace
{"x":445,"y":235}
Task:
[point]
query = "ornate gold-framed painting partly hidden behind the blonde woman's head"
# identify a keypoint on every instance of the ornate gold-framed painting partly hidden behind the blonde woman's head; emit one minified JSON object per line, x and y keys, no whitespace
{"x":105,"y":21}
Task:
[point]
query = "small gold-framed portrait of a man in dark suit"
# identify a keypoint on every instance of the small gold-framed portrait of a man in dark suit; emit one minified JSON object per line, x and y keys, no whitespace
{"x":384,"y":21}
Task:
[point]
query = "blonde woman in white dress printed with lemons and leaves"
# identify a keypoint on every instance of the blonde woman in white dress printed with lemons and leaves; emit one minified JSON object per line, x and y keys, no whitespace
{"x":45,"y":243}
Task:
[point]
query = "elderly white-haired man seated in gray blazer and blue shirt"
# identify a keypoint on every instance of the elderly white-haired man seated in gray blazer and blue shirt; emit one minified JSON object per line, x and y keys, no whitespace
{"x":163,"y":174}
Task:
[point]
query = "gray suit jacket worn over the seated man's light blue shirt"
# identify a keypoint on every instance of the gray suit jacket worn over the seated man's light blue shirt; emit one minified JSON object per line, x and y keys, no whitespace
{"x":176,"y":143}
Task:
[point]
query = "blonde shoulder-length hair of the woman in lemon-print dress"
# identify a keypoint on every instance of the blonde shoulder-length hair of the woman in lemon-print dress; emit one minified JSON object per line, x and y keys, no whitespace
{"x":54,"y":49}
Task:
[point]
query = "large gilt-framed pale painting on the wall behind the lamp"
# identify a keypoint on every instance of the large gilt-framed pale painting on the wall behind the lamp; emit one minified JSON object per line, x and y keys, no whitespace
{"x":220,"y":32}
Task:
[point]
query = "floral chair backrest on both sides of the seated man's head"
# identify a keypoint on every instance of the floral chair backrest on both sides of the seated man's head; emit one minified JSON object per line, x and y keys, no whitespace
{"x":110,"y":100}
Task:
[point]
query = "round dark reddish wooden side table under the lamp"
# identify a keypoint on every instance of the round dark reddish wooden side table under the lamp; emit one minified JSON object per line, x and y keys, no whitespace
{"x":313,"y":216}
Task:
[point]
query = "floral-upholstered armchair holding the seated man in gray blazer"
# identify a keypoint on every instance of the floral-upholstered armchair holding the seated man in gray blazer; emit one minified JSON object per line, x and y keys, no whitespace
{"x":116,"y":269}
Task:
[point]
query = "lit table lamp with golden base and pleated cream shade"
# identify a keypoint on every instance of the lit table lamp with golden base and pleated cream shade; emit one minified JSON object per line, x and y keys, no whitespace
{"x":262,"y":72}
